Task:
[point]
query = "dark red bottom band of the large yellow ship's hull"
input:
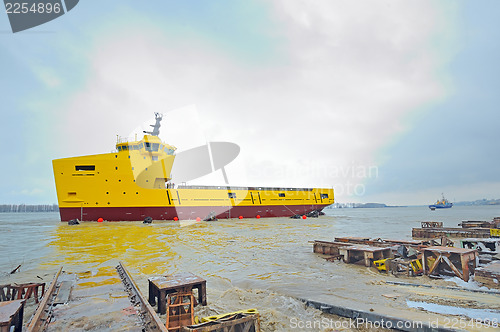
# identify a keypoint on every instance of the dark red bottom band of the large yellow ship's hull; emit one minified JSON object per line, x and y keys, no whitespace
{"x":183,"y":213}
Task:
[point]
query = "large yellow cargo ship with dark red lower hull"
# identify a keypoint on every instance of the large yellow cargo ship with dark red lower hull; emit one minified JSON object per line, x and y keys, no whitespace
{"x":134,"y":183}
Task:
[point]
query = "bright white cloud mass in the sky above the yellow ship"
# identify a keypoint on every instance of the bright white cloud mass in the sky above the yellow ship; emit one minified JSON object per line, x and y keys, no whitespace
{"x":336,"y":88}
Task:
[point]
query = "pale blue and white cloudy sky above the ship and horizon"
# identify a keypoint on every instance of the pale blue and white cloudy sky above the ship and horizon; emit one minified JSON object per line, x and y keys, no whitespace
{"x":385,"y":101}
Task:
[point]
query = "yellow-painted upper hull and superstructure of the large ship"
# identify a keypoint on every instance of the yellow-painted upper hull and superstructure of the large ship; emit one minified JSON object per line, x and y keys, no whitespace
{"x":138,"y":178}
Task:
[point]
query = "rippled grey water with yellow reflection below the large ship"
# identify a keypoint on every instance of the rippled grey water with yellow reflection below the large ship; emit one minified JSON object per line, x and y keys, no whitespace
{"x":264,"y":263}
